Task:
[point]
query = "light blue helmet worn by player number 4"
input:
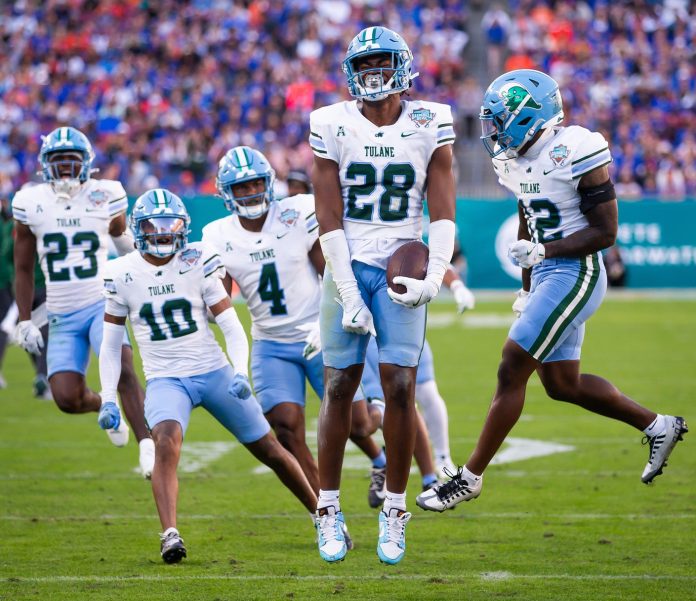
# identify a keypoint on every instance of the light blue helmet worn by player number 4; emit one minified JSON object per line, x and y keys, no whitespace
{"x":242,"y":164}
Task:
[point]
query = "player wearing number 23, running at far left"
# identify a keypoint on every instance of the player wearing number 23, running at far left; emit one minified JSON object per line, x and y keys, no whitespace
{"x":67,"y":220}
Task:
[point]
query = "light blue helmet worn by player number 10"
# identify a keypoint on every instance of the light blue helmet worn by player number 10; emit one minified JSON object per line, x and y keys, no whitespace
{"x":160,"y":223}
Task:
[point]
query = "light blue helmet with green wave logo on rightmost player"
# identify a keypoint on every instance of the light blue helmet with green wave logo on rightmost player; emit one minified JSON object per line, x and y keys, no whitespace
{"x":515,"y":107}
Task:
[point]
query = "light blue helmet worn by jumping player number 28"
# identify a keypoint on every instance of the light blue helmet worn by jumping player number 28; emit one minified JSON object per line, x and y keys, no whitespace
{"x":371,"y":84}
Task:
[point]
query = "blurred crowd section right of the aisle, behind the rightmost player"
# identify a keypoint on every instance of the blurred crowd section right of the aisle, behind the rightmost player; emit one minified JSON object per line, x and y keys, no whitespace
{"x":627,"y":69}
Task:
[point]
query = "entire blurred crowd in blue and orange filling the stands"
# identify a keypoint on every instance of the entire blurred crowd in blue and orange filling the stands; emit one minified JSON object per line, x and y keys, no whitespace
{"x":164,"y":88}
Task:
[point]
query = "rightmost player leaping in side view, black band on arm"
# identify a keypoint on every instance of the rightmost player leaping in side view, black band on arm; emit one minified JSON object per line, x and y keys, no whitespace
{"x":567,"y":216}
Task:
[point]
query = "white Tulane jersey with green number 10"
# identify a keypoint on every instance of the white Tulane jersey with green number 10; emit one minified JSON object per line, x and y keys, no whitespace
{"x":166,"y":305}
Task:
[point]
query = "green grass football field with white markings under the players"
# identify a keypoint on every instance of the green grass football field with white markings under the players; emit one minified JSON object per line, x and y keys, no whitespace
{"x":76,"y":522}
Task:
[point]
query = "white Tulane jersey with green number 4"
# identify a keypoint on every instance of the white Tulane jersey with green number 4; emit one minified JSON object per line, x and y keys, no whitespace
{"x":272,"y":268}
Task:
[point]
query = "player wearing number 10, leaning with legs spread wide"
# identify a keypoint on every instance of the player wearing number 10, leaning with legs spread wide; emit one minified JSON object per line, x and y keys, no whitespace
{"x":165,"y":289}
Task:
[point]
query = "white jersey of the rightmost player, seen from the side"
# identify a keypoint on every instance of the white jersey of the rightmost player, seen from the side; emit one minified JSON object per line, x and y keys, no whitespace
{"x":545,"y":180}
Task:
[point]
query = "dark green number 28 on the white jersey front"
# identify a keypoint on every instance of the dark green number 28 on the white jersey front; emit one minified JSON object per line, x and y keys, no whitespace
{"x":397,"y":181}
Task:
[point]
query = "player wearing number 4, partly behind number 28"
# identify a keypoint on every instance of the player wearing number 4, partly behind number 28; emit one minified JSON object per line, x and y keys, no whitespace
{"x":271,"y":250}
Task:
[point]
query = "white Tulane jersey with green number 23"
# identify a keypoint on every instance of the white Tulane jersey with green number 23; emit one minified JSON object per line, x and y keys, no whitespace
{"x":72,"y":238}
